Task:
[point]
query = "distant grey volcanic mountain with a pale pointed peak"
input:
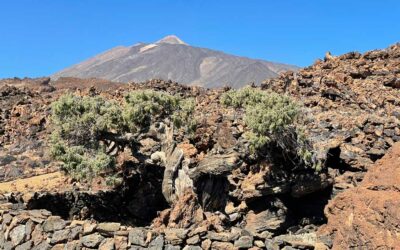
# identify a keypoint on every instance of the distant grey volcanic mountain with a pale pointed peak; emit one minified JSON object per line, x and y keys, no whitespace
{"x":171,"y":58}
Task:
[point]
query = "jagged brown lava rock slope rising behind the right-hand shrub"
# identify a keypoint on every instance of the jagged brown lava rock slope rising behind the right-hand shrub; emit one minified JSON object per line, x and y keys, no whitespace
{"x":354,"y":100}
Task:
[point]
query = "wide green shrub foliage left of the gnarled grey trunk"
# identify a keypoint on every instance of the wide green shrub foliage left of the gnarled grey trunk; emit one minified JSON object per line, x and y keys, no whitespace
{"x":83,"y":127}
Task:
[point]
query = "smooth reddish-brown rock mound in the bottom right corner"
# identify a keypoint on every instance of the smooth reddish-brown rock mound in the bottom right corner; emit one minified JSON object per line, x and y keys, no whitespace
{"x":368,"y":216}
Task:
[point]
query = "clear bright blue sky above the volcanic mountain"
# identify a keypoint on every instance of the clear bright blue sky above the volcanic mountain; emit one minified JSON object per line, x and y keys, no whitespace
{"x":41,"y":37}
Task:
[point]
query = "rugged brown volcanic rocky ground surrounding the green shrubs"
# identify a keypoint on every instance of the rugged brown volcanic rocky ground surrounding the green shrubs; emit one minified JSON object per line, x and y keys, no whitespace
{"x":219,"y":197}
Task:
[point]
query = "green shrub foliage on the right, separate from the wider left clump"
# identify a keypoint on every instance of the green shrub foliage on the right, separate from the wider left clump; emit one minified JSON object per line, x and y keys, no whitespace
{"x":274,"y":121}
